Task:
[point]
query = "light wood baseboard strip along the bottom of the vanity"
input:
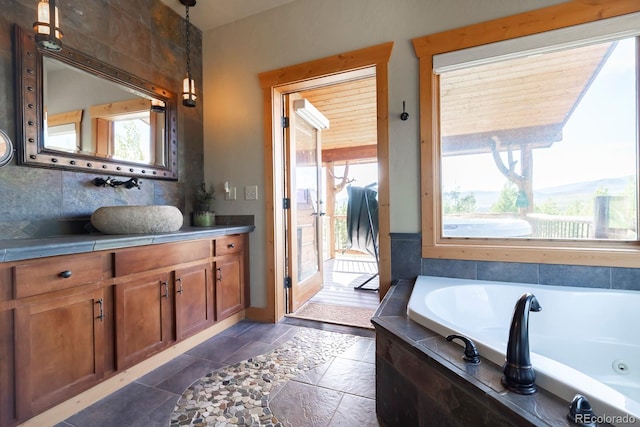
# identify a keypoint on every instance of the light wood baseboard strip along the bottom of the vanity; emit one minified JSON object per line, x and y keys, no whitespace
{"x":88,"y":397}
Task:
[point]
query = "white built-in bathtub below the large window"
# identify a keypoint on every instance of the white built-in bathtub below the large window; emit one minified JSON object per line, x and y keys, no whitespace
{"x":584,"y":341}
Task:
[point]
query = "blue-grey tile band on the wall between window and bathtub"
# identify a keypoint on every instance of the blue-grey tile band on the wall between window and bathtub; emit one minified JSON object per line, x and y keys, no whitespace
{"x":406,"y":263}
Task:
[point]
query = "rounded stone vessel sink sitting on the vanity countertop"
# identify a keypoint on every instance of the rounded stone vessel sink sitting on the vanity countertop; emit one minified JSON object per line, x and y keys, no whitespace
{"x":137,"y":219}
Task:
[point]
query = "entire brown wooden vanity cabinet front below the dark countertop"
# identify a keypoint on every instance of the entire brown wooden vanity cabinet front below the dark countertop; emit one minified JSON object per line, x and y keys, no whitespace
{"x":69,"y":322}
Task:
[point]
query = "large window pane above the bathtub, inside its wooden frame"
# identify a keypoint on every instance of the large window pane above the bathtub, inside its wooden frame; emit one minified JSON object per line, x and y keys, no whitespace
{"x":542,"y":146}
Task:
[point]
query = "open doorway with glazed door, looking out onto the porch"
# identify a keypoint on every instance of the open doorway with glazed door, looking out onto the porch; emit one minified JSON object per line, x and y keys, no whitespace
{"x":332,"y":226}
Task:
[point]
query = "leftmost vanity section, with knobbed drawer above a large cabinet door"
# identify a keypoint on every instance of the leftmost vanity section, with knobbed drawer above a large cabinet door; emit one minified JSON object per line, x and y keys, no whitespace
{"x":61,"y":316}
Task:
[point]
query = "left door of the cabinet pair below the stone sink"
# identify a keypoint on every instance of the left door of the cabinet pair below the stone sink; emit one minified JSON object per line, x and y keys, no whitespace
{"x":143,"y":318}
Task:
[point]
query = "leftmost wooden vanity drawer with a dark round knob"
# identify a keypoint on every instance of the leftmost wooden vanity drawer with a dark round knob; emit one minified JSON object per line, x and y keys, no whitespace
{"x":39,"y":277}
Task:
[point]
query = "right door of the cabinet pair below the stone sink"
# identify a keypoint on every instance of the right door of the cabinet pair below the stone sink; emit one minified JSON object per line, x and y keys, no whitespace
{"x":194,"y":300}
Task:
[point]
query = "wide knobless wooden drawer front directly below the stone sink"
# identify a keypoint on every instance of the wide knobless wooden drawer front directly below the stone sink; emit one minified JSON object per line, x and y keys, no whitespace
{"x":151,"y":257}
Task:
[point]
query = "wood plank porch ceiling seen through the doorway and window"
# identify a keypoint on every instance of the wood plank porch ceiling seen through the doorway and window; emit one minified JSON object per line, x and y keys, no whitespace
{"x":527,"y":101}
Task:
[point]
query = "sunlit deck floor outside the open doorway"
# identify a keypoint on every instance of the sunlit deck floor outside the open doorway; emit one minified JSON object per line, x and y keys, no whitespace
{"x":341,"y":275}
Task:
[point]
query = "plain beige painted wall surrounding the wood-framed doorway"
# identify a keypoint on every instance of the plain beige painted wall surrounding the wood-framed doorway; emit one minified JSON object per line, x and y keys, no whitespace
{"x":234,"y":55}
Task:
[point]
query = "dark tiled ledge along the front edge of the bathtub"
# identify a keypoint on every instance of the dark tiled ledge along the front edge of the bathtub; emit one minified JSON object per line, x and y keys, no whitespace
{"x":541,"y":408}
